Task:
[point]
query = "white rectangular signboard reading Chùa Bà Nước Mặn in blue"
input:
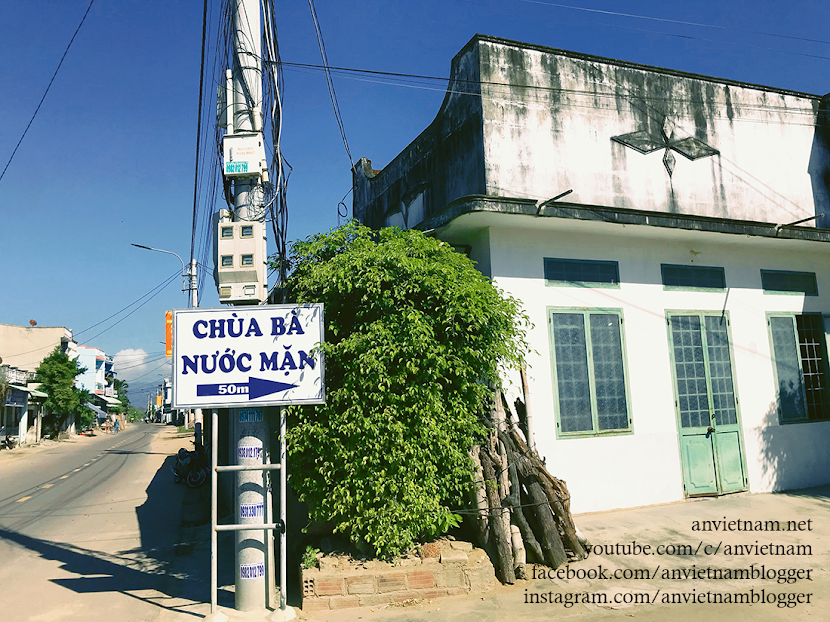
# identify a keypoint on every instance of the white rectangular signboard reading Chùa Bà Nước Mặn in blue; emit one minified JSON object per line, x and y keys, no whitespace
{"x":264,"y":355}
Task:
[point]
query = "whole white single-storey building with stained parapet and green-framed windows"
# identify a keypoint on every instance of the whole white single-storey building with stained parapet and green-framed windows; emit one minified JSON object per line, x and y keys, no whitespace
{"x":680,"y":292}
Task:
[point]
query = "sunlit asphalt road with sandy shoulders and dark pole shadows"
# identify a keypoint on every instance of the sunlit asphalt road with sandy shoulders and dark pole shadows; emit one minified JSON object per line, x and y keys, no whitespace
{"x":88,"y":530}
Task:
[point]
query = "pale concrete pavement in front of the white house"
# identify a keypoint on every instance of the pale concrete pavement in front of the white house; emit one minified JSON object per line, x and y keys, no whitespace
{"x":682,"y":578}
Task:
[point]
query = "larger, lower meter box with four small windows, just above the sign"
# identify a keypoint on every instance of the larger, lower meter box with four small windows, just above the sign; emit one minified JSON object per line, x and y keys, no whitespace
{"x":240,"y":259}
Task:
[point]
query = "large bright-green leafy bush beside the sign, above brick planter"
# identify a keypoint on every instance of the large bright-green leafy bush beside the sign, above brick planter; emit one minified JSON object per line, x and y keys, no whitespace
{"x":415,"y":337}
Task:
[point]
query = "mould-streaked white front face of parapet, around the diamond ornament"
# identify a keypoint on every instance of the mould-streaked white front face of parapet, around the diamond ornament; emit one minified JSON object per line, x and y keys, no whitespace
{"x":541,"y":141}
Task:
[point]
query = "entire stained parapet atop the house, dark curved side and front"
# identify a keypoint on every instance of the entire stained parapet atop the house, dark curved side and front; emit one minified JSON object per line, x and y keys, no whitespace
{"x":545,"y":120}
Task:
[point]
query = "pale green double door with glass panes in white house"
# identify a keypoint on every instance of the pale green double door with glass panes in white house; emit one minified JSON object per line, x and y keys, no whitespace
{"x":711,"y":446}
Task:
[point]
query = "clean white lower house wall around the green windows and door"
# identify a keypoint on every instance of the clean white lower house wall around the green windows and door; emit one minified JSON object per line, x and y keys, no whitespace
{"x":644,"y":467}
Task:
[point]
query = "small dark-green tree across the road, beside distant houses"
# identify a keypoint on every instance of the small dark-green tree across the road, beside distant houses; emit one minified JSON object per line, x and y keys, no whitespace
{"x":57,"y":373}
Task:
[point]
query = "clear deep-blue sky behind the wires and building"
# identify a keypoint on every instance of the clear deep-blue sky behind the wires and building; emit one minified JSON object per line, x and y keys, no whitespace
{"x":109,"y":159}
